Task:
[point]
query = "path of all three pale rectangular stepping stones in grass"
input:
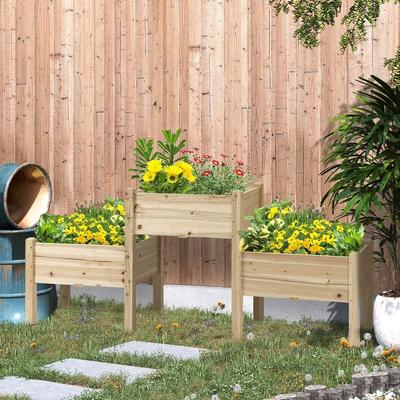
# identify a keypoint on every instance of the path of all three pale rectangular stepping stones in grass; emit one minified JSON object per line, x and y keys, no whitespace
{"x":45,"y":390}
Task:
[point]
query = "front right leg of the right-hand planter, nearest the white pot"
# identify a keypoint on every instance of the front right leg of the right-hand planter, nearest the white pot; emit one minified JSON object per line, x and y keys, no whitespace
{"x":354,"y":299}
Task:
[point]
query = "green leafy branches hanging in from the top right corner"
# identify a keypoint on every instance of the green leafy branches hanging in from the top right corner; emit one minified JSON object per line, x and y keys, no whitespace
{"x":315,"y":15}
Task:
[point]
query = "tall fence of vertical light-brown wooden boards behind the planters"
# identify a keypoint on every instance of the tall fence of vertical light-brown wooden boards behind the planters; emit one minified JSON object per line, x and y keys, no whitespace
{"x":81,"y":79}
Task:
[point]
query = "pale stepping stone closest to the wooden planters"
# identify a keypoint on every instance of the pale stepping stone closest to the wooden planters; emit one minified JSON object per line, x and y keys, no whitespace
{"x":154,"y":349}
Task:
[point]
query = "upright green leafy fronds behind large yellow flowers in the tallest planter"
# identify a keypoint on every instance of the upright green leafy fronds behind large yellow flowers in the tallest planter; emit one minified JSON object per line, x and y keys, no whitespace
{"x":168,"y":151}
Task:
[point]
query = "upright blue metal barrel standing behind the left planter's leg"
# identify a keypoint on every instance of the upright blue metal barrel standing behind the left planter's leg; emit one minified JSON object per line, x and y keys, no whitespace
{"x":12,"y":279}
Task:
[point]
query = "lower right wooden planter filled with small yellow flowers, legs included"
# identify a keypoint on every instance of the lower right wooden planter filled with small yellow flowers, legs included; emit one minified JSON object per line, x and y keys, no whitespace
{"x":287,"y":253}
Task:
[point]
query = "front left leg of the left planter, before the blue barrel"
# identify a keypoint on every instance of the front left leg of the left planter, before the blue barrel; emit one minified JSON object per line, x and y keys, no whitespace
{"x":30,"y":283}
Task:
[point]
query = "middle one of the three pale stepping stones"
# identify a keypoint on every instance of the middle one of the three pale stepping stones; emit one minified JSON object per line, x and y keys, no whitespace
{"x":97,"y":370}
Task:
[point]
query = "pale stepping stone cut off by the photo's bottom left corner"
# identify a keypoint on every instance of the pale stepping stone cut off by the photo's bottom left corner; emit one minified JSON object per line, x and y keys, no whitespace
{"x":39,"y":390}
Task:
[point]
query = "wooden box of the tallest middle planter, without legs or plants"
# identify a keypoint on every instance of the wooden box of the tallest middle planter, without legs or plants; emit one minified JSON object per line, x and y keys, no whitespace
{"x":194,"y":215}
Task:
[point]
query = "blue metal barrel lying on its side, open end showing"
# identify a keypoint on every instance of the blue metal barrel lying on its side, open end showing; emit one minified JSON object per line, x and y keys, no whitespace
{"x":25,"y":194}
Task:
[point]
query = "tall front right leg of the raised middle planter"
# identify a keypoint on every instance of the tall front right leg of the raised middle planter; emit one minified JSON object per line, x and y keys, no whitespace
{"x":237,"y":297}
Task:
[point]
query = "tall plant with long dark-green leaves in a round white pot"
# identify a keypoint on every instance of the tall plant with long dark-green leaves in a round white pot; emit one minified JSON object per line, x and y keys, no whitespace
{"x":363,"y":167}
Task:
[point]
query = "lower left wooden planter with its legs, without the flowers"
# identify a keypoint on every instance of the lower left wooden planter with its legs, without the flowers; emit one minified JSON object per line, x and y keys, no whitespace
{"x":95,"y":265}
